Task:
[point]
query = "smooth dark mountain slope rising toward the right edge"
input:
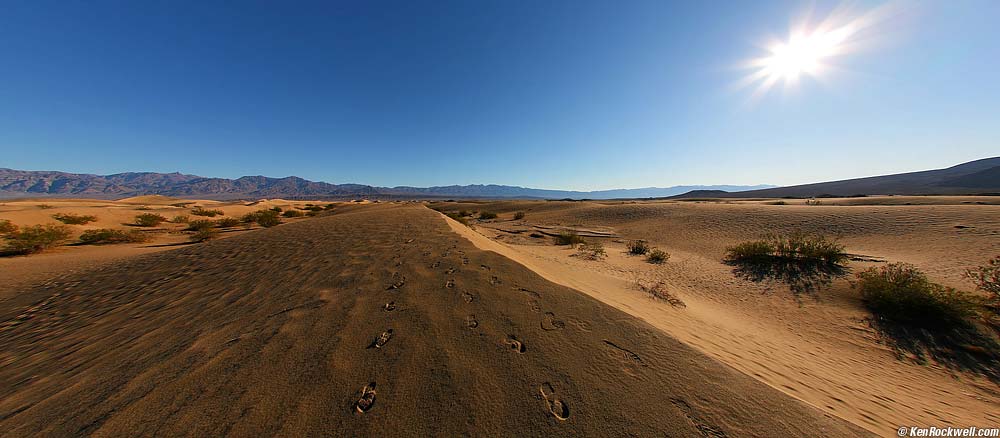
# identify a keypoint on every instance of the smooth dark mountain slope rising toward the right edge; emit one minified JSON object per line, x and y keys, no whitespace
{"x":980,"y":176}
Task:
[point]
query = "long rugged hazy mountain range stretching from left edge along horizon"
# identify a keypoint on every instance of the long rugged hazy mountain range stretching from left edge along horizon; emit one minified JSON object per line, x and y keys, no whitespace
{"x":23,"y":183}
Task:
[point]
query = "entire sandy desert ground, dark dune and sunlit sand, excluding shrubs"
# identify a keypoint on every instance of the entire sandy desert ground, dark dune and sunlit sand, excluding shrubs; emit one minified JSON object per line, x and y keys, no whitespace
{"x":452,"y":330}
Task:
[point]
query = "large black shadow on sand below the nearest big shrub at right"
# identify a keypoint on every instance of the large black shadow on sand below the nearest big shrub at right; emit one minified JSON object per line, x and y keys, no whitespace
{"x":962,"y":348}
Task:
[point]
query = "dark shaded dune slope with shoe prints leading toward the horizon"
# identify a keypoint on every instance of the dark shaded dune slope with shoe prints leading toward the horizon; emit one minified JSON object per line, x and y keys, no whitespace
{"x":275,"y":332}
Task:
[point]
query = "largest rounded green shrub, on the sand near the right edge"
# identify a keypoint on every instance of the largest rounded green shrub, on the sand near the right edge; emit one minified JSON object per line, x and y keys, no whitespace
{"x":900,"y":293}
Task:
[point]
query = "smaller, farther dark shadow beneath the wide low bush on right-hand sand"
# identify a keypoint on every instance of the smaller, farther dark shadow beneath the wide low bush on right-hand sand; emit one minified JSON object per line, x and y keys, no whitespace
{"x":803,"y":277}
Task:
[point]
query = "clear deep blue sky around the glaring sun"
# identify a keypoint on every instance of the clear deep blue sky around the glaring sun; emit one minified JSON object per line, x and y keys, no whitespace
{"x":568,"y":95}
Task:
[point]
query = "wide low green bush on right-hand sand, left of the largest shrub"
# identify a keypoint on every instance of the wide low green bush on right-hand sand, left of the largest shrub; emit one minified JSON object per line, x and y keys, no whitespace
{"x":798,"y":247}
